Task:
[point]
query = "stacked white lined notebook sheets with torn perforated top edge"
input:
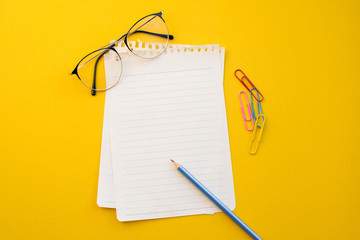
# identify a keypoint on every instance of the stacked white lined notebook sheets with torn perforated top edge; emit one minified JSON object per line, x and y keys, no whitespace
{"x":168,"y":107}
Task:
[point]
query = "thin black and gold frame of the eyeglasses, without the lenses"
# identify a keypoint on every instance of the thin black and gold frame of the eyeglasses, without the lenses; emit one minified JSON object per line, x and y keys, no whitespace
{"x":110,"y":47}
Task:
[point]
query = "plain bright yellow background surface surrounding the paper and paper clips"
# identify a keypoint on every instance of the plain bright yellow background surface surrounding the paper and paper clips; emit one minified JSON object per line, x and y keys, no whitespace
{"x":303,"y":56}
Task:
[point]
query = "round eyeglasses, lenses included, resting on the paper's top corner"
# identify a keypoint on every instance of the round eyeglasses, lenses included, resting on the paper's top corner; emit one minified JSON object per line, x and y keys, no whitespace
{"x":91,"y":69}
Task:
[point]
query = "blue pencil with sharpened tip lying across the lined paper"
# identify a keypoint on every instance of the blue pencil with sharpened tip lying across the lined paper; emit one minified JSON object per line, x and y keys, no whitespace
{"x":215,"y":200}
